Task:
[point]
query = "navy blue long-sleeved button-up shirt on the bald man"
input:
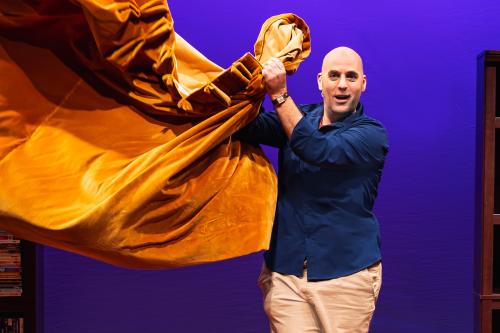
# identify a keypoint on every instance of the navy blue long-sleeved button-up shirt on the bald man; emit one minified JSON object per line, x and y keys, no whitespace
{"x":327,"y":185}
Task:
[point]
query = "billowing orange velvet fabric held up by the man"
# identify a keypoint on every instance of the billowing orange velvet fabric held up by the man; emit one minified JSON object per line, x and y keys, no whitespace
{"x":115,"y":134}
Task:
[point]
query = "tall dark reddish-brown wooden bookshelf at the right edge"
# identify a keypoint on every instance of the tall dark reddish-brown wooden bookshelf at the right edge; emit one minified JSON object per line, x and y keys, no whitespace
{"x":487,"y":231}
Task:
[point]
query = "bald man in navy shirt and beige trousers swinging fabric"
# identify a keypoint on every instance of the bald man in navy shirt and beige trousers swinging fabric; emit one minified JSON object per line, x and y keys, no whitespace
{"x":323,"y":269}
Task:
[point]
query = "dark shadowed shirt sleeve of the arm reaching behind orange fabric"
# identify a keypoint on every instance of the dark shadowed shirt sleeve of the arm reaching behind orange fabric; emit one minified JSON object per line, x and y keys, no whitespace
{"x":265,"y":129}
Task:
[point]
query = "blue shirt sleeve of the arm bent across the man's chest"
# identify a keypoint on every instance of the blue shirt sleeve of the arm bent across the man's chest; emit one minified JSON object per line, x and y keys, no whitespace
{"x":363,"y":145}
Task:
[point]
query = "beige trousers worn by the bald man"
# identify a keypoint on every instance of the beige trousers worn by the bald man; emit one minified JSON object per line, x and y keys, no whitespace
{"x":342,"y":305}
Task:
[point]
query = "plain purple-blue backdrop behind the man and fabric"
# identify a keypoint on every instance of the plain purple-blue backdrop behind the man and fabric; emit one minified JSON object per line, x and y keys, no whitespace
{"x":420,"y":59}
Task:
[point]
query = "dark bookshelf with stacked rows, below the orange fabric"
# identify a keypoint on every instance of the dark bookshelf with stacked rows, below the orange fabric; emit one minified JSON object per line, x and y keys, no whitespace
{"x":18,"y":281}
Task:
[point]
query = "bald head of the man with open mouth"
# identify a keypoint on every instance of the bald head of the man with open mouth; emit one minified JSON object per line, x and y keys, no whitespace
{"x":341,"y":80}
